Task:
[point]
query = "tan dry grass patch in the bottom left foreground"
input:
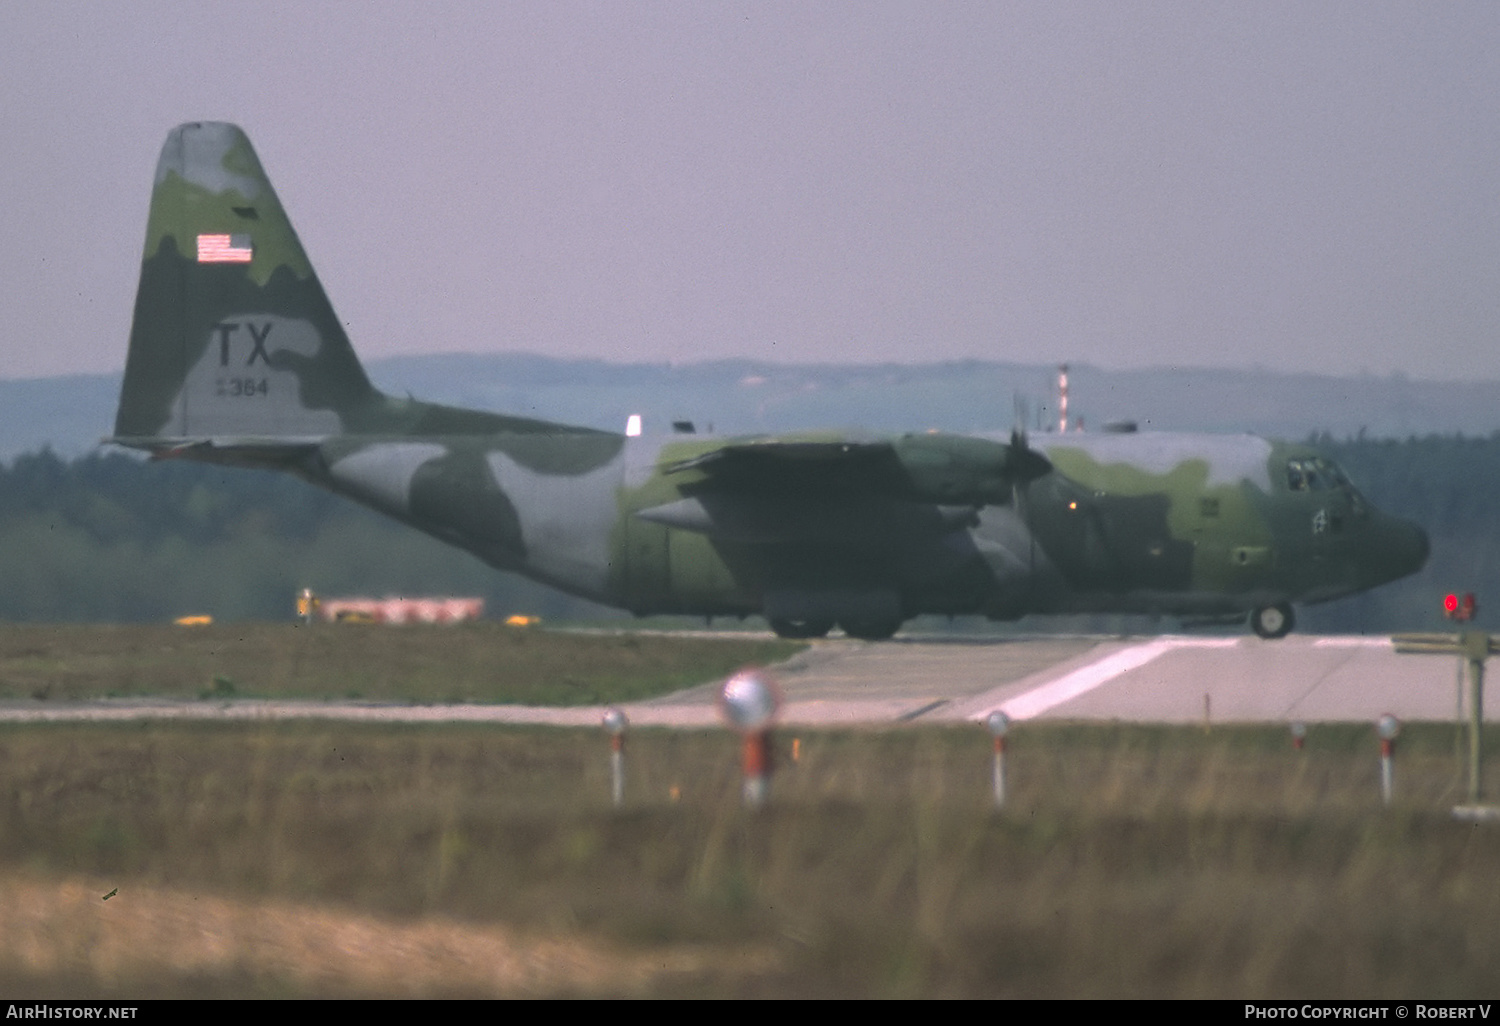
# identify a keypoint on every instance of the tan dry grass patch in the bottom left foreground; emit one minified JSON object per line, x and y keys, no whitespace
{"x":167,"y":941}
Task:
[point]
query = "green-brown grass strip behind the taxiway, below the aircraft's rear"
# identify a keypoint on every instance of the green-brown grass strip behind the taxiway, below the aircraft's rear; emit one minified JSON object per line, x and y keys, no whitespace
{"x":481,"y":662}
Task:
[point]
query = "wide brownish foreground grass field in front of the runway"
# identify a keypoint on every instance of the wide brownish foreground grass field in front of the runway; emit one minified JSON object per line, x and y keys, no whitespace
{"x":326,"y":860}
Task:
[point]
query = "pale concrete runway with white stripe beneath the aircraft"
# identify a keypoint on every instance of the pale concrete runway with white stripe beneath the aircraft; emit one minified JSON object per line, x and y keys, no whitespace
{"x":845,"y":683}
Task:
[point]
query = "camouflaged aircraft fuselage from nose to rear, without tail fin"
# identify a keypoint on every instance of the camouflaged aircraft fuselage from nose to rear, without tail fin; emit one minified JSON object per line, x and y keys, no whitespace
{"x":1151,"y":523}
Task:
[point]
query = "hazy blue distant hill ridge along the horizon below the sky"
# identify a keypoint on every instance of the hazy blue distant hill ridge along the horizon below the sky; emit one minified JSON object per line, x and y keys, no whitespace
{"x":743,"y":397}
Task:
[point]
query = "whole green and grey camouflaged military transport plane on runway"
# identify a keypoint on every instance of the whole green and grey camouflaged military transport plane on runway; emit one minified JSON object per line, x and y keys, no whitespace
{"x":236,"y":358}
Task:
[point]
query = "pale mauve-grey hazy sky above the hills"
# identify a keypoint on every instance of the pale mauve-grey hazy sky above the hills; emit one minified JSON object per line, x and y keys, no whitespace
{"x":1292,"y":187}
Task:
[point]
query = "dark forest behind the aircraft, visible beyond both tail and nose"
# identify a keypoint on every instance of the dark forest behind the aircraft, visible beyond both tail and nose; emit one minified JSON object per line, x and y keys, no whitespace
{"x":107,"y":538}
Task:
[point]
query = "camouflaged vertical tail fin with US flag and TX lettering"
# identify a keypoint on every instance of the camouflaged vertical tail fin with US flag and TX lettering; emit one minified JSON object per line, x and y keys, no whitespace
{"x":233,"y":335}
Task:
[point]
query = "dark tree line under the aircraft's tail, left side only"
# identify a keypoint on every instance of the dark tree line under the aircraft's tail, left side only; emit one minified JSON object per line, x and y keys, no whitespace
{"x":109,"y":538}
